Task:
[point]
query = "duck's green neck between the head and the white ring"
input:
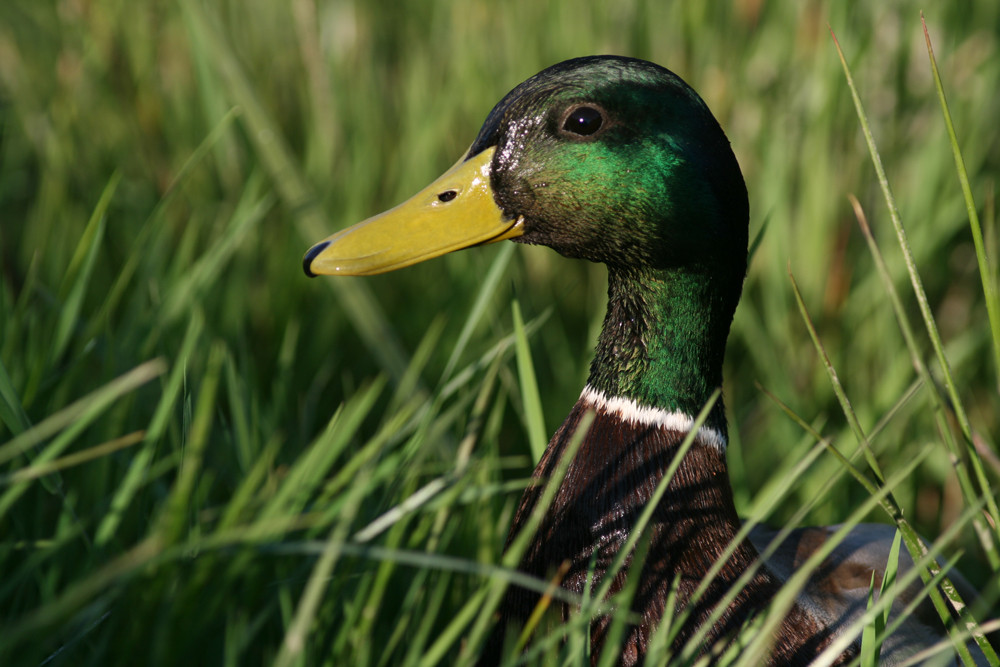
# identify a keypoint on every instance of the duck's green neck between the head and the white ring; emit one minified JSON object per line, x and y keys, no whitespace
{"x":664,"y":339}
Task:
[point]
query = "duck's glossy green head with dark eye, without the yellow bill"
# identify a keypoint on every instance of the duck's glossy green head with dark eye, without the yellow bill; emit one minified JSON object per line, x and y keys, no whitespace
{"x":617,"y":160}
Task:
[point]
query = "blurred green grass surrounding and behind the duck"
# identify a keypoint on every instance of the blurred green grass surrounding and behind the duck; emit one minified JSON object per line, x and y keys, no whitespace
{"x":163,"y":167}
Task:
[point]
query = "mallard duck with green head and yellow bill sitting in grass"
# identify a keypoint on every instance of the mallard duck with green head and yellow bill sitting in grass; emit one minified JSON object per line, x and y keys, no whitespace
{"x":618,"y":161}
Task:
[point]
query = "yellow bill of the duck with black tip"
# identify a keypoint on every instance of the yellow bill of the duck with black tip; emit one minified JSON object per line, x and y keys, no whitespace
{"x":454,"y":212}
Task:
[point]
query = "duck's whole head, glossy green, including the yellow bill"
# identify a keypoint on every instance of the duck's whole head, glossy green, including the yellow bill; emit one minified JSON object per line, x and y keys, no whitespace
{"x":610,"y":159}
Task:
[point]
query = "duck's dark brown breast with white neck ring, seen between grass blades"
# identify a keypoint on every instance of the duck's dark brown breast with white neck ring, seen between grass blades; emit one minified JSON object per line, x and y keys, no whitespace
{"x":607,"y":486}
